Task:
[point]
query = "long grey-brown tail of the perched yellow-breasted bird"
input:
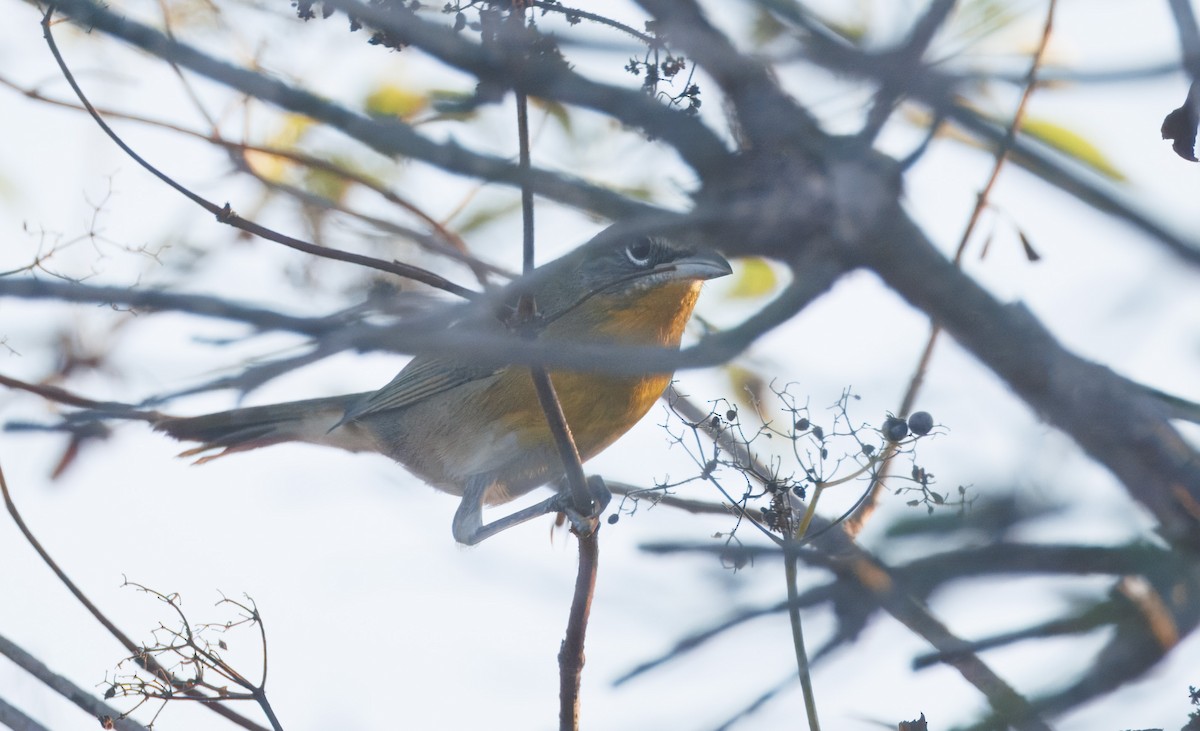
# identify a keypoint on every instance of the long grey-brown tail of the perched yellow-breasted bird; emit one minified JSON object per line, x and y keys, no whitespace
{"x":243,"y":429}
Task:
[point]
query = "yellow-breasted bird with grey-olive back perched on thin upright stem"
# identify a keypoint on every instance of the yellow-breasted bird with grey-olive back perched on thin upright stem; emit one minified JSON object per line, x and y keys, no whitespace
{"x":479,"y":432}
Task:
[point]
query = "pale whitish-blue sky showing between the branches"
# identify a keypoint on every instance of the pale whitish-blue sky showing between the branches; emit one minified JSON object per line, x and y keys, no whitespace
{"x":376,"y":619}
